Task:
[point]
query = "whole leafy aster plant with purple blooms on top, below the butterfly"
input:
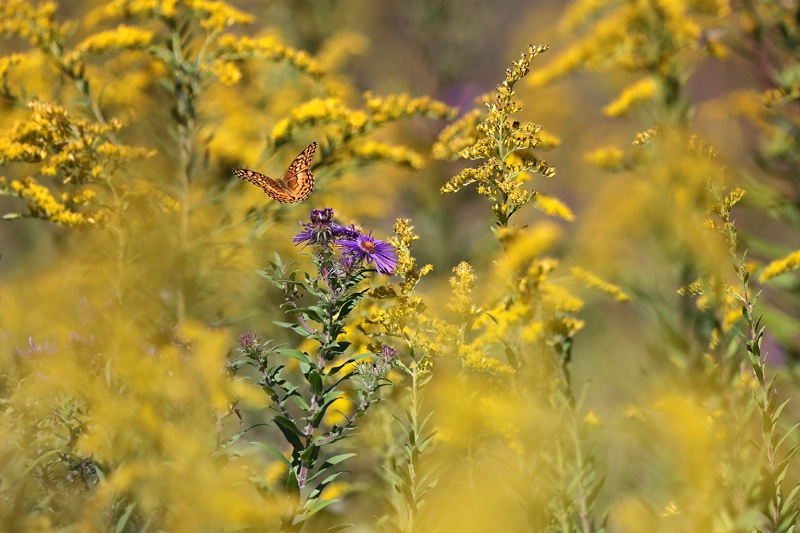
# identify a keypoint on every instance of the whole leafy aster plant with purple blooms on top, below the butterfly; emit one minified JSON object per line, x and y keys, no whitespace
{"x":327,"y":375}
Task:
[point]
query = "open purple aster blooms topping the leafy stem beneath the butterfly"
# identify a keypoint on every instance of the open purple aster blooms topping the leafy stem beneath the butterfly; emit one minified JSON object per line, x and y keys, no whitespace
{"x":357,"y":247}
